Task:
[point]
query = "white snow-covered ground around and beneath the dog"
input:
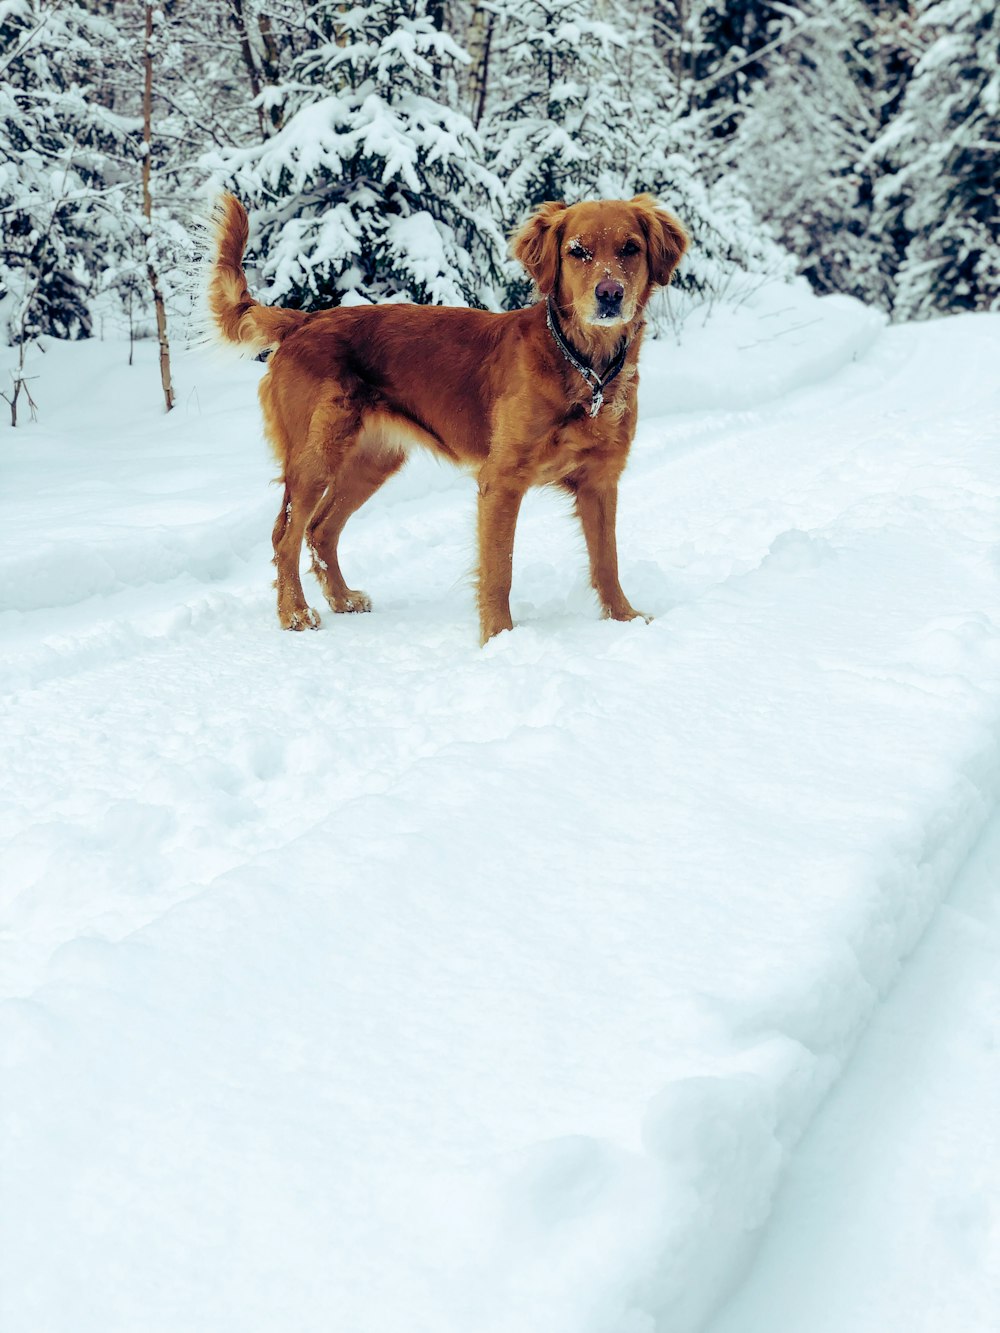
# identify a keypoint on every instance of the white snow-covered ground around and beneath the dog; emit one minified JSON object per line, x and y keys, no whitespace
{"x":369,"y":980}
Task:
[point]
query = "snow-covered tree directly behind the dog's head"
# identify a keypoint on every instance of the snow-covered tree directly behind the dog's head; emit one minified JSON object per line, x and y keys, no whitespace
{"x":585,"y":103}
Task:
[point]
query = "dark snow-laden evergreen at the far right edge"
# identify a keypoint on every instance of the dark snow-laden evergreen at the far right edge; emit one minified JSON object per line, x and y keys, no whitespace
{"x":942,"y":159}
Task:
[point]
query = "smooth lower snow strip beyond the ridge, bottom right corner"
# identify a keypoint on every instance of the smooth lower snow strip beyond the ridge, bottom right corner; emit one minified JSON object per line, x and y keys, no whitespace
{"x":889,"y":1216}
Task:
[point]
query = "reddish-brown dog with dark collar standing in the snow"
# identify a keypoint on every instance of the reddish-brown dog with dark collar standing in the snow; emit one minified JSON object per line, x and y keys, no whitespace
{"x":539,"y":397}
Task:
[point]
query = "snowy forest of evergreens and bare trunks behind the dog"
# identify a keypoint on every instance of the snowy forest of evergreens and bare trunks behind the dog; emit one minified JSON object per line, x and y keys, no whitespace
{"x":387,"y":149}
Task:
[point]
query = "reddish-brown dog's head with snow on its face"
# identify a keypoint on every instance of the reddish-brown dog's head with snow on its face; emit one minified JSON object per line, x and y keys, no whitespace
{"x":601,"y":261}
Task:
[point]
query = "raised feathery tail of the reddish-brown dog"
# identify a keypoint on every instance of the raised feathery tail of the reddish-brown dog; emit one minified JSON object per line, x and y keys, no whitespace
{"x":235,"y":315}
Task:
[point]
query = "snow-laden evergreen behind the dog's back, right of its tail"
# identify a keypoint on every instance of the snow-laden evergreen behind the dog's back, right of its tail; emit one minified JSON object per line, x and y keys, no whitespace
{"x":374,"y":187}
